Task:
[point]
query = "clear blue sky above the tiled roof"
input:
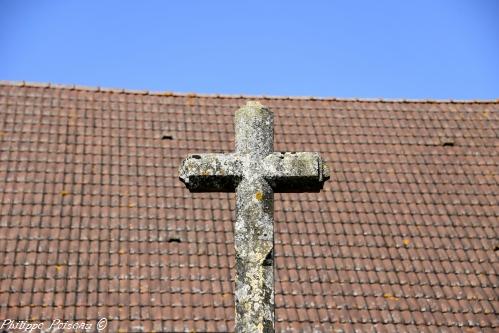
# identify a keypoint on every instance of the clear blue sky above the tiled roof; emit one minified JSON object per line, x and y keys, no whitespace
{"x":390,"y":49}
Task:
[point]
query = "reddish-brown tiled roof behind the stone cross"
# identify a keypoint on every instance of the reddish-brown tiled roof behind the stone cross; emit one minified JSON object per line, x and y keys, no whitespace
{"x":95,"y":223}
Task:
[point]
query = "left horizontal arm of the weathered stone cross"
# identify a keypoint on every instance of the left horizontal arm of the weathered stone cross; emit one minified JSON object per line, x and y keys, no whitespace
{"x":211,"y":172}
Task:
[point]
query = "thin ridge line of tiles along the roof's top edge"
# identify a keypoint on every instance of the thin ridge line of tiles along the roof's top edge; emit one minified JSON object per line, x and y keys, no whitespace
{"x":183,"y":94}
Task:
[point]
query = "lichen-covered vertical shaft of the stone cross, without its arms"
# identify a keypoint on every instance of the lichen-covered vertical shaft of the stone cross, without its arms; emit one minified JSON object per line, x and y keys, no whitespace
{"x":254,"y":228}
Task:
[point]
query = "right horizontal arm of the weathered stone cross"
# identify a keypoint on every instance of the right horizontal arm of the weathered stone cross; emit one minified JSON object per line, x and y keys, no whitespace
{"x":295,"y":172}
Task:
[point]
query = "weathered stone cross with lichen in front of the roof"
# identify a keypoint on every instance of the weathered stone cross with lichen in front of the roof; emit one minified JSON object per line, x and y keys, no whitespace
{"x":254,"y":171}
